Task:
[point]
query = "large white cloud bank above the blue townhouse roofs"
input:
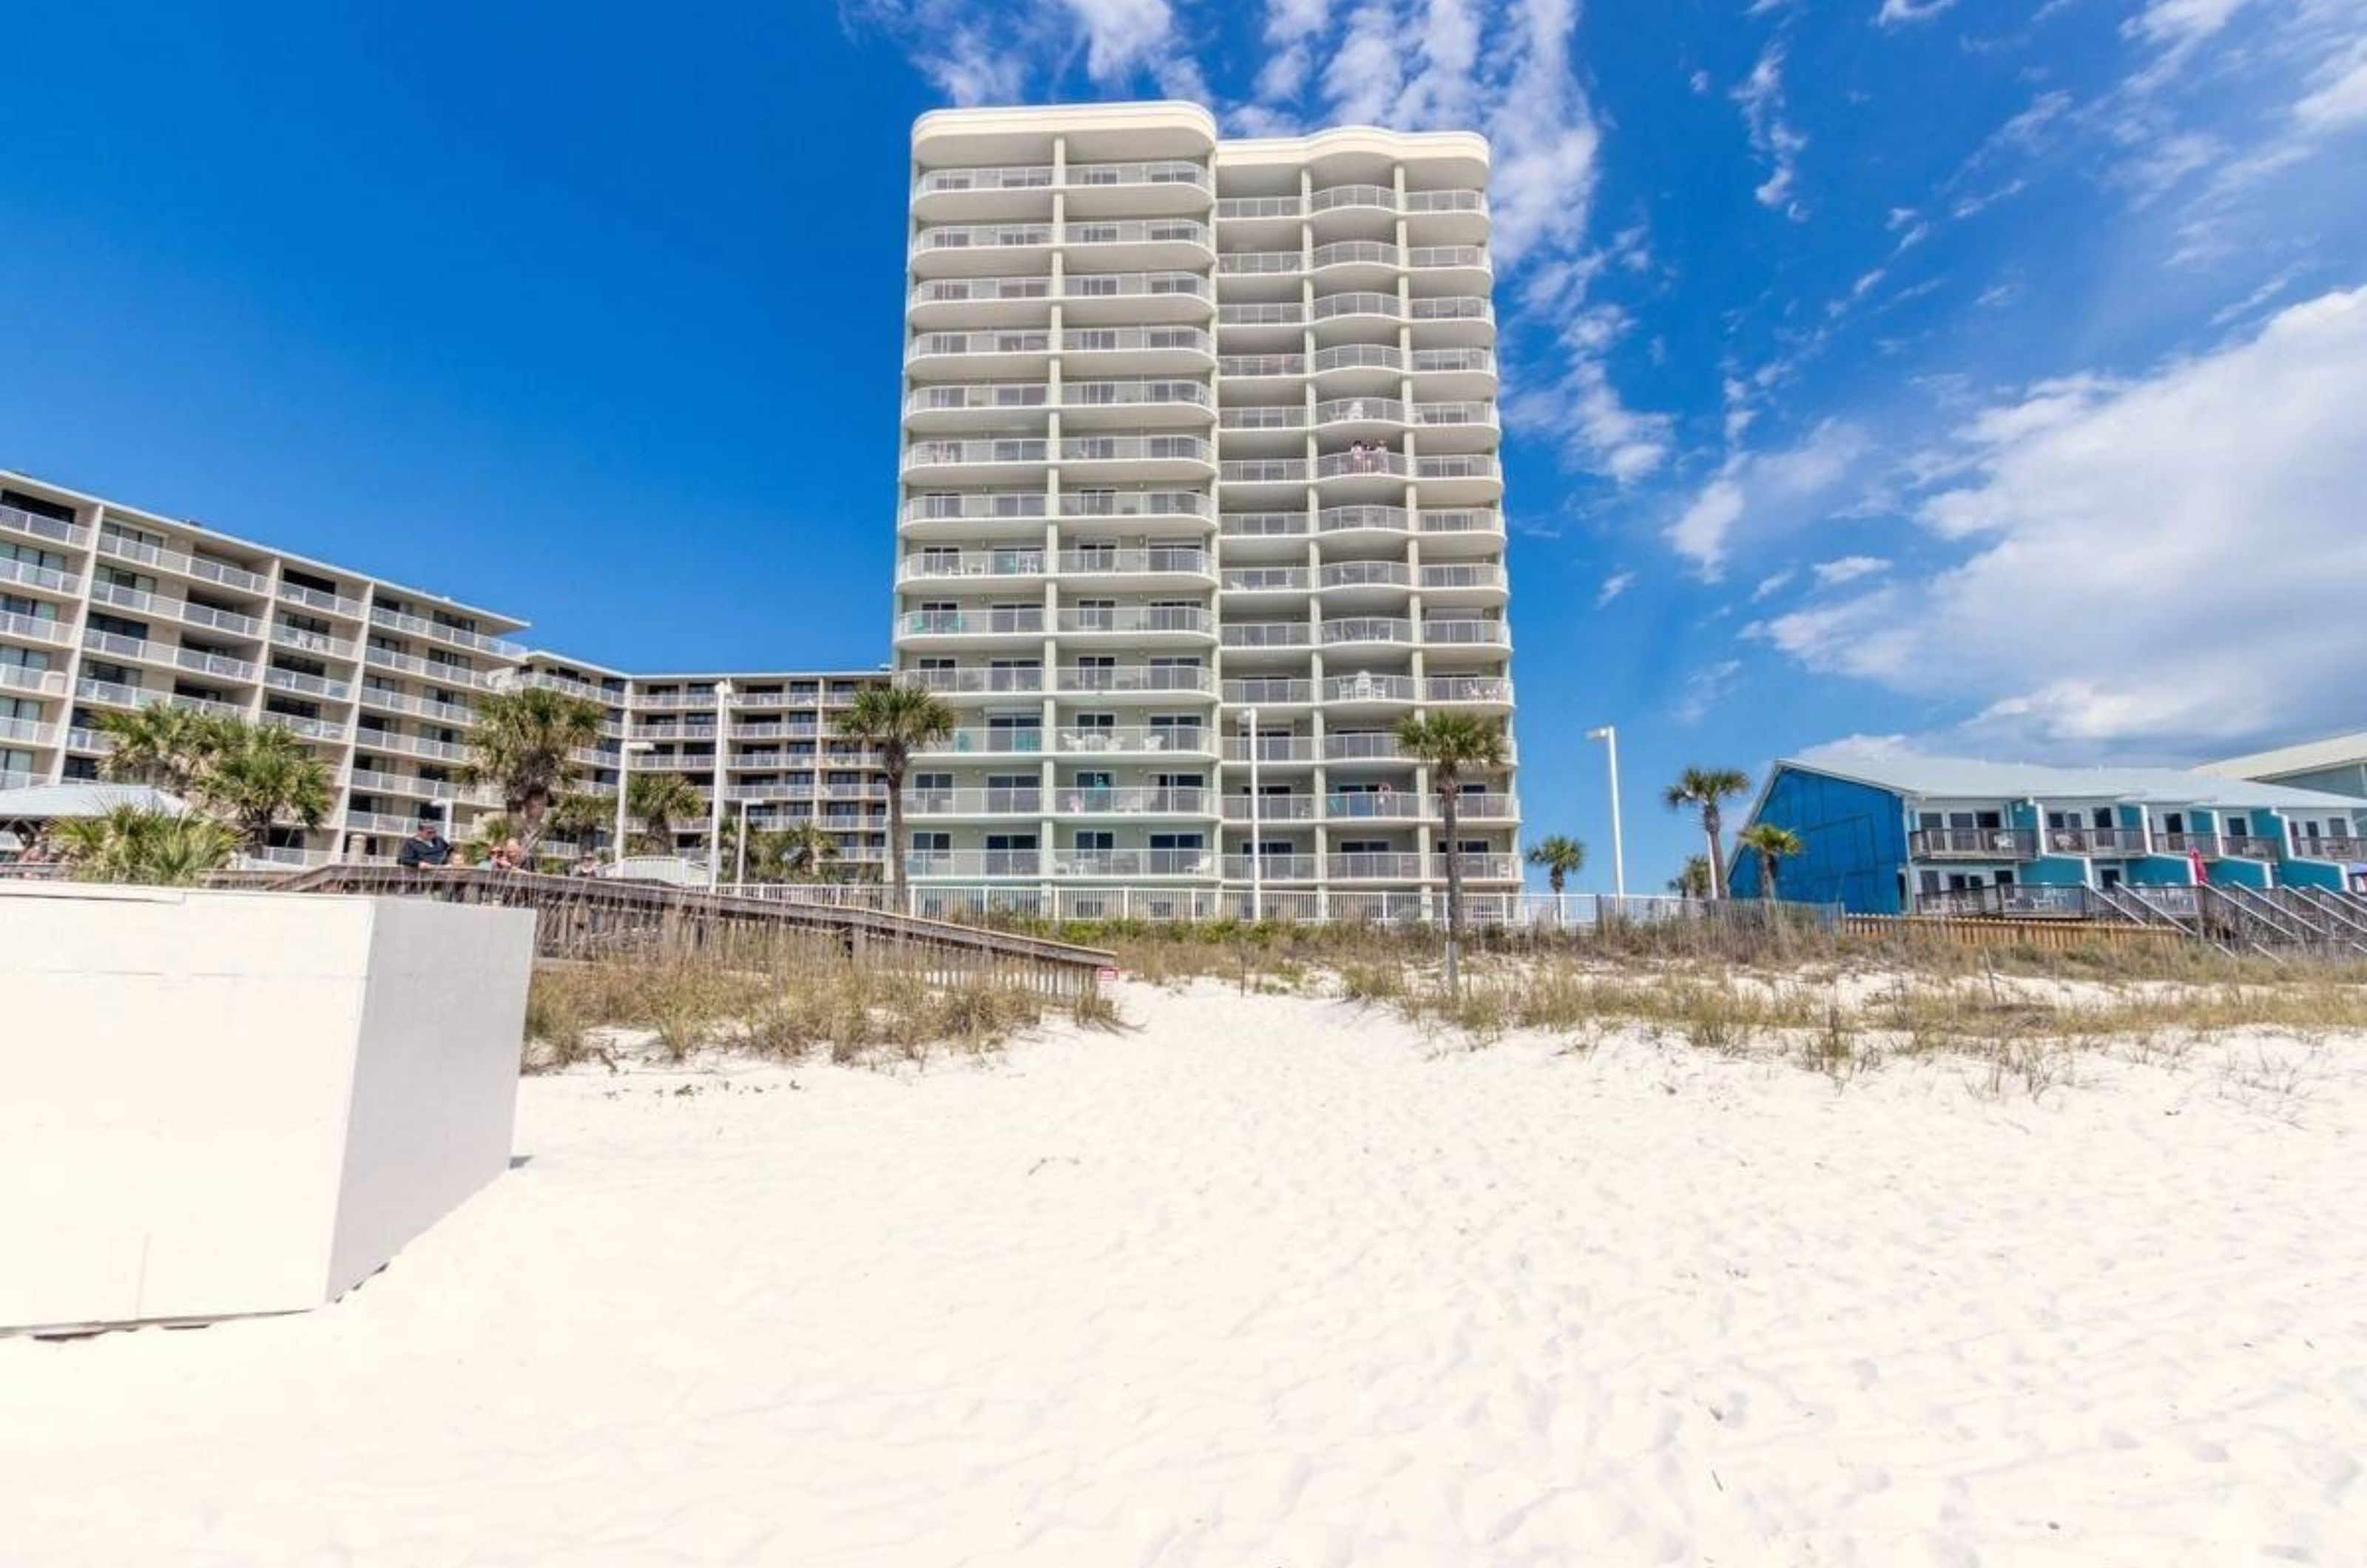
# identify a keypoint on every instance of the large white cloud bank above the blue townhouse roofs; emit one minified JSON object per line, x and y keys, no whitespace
{"x":2160,"y":563}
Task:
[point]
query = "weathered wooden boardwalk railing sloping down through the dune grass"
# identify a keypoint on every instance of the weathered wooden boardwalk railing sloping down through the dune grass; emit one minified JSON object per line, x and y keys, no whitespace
{"x":588,"y":918}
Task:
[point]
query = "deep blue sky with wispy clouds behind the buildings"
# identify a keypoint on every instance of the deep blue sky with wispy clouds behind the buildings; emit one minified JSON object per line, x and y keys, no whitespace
{"x":1963,"y":375}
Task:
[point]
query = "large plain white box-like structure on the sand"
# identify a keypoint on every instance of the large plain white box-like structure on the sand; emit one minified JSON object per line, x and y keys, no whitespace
{"x":240,"y":1103}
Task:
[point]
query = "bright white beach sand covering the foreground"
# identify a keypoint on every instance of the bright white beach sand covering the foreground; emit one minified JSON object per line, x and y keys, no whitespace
{"x":1275,"y":1283}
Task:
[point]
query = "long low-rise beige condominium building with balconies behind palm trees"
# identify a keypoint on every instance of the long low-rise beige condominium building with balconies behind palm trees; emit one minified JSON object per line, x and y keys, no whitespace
{"x":105,"y":608}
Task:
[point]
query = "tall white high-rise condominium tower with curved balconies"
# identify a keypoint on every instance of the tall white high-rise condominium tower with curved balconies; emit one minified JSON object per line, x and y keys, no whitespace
{"x":1199,"y":501}
